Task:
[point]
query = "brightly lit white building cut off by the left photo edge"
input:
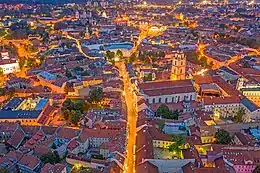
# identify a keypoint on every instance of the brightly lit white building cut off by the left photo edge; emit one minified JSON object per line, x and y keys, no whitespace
{"x":8,"y":64}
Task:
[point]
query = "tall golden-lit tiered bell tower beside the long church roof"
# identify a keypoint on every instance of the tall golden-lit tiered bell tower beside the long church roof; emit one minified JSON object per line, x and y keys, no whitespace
{"x":178,"y":66}
